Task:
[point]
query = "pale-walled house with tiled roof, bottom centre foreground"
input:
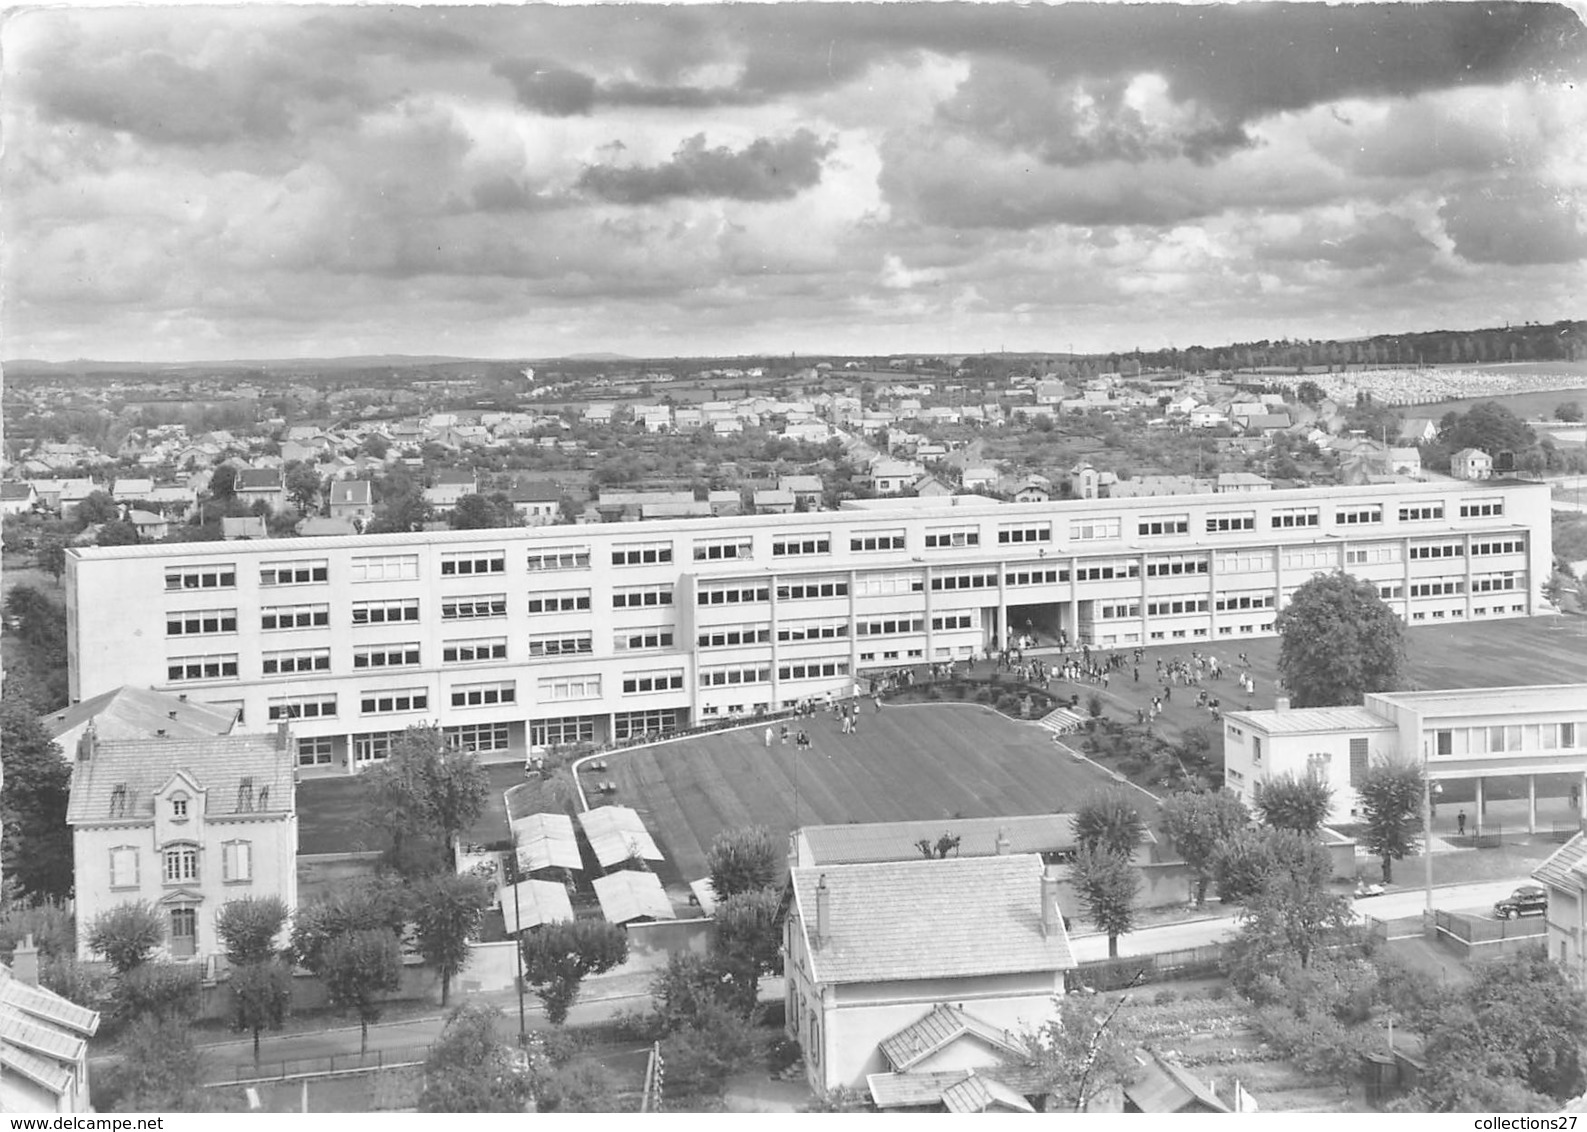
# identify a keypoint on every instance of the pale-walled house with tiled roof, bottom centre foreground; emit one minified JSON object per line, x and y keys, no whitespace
{"x":867,"y":984}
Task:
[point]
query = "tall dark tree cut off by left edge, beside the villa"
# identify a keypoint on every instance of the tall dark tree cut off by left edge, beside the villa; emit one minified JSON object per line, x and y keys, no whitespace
{"x":37,"y":841}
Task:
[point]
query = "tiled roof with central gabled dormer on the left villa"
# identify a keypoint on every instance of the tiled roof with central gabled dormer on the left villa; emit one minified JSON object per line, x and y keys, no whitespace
{"x":223,"y":766}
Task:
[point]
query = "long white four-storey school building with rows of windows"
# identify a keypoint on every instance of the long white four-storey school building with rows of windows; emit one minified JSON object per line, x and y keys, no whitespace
{"x":532,"y":637}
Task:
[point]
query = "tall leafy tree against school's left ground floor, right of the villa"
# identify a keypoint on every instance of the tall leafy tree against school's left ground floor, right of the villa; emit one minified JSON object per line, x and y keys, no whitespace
{"x":425,"y":796}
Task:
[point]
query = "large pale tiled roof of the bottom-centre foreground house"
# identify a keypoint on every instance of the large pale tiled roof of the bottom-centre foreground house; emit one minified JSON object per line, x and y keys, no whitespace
{"x":955,"y":918}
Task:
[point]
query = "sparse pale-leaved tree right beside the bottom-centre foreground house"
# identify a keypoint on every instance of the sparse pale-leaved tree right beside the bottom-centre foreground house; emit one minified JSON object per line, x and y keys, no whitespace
{"x":1083,"y":1052}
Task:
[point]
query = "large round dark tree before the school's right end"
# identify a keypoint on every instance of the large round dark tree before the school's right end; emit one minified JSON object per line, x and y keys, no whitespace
{"x":1339,"y":641}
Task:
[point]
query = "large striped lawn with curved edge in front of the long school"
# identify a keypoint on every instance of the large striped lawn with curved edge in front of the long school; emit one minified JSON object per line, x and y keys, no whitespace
{"x":905,"y":763}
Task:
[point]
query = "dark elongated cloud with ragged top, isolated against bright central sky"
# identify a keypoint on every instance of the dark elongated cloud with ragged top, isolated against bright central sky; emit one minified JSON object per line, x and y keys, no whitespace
{"x":764,"y":171}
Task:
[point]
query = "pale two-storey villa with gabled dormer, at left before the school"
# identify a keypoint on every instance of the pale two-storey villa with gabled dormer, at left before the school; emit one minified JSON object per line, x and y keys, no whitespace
{"x":185,"y":825}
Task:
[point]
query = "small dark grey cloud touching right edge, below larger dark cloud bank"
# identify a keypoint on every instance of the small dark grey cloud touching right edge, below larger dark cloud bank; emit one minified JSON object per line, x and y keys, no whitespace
{"x":1518,"y":225}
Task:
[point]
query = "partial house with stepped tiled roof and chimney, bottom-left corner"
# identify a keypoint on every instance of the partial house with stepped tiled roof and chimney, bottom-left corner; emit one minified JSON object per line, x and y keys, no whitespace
{"x":44,"y":1042}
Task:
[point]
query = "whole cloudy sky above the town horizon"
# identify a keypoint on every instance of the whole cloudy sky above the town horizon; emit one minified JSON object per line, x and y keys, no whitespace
{"x":693,"y":180}
